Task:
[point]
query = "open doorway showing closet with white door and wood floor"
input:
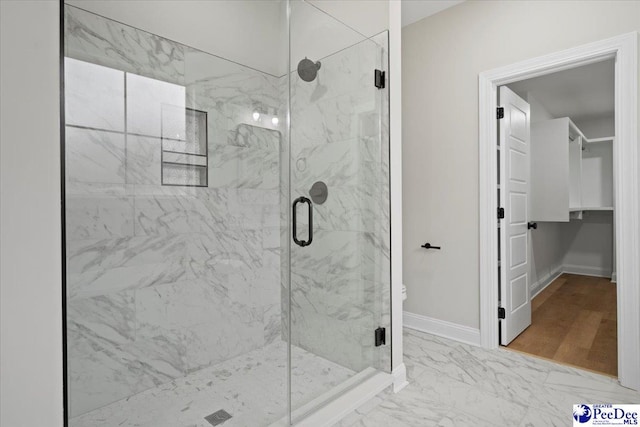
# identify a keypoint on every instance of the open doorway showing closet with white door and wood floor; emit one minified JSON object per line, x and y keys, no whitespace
{"x":557,"y":270}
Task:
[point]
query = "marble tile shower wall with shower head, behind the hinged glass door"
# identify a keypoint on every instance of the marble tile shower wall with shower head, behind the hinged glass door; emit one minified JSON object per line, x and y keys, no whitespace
{"x":341,"y":283}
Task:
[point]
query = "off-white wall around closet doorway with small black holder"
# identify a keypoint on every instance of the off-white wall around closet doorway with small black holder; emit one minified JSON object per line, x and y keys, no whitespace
{"x":442,"y":57}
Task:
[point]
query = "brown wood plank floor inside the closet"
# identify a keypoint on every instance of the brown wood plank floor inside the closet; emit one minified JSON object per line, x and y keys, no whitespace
{"x":574,"y":321}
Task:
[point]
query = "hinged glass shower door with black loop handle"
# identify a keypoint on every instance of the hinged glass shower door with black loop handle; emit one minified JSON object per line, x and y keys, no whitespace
{"x":339,"y":191}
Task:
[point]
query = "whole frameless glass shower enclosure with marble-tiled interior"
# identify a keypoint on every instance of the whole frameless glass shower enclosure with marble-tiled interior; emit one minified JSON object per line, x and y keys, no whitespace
{"x":226,"y":212}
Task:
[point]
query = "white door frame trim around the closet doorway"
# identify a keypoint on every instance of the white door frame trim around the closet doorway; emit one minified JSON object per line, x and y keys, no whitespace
{"x":624,"y":49}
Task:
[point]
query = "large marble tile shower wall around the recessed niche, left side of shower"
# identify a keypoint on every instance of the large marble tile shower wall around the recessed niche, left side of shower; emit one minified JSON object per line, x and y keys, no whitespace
{"x":163,"y":281}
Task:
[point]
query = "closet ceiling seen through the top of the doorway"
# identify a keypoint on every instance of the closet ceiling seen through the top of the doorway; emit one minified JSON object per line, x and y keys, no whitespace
{"x":580,"y":93}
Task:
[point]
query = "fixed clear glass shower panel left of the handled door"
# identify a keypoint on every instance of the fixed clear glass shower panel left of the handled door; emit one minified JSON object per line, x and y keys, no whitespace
{"x":173,"y":163}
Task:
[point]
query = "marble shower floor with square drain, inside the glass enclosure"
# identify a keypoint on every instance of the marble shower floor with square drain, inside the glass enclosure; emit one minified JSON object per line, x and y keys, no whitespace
{"x":251,"y":387}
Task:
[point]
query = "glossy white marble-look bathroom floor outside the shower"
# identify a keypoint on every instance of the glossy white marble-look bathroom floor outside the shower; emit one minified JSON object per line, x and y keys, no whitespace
{"x":455,"y":384}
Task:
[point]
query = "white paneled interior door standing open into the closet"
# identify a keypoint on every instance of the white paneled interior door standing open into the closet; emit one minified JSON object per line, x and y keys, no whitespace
{"x":514,"y":135}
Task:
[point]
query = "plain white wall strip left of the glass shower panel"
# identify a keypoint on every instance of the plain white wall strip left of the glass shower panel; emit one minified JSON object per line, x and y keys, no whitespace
{"x":30,"y":248}
